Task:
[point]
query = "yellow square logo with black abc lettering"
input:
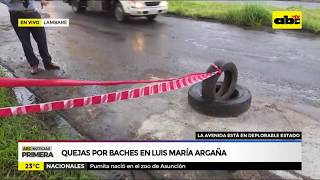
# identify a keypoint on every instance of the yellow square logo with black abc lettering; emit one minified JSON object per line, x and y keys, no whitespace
{"x":286,"y":19}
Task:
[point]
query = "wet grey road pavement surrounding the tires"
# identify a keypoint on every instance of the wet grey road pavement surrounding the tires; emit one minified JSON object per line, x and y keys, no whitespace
{"x":281,"y":68}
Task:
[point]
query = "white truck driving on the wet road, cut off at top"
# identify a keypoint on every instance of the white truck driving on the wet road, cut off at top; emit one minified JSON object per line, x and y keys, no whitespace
{"x":122,"y":8}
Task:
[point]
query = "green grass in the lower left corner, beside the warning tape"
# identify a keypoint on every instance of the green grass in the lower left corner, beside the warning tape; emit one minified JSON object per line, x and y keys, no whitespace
{"x":26,"y":127}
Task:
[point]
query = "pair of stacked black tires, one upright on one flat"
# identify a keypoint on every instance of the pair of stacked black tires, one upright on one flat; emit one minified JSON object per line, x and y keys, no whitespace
{"x":220,"y":98}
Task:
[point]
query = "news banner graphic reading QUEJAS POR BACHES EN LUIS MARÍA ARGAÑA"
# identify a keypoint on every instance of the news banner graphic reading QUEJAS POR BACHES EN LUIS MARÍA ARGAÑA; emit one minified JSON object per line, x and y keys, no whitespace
{"x":210,"y":154}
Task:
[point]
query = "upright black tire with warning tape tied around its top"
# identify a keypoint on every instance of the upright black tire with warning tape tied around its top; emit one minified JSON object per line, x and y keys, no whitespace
{"x":209,"y":89}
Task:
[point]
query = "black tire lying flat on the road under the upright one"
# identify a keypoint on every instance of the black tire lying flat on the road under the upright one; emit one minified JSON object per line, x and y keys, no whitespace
{"x":238,"y":103}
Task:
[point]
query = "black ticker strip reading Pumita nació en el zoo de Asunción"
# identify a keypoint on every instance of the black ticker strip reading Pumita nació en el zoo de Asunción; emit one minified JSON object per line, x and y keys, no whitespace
{"x":194,"y":166}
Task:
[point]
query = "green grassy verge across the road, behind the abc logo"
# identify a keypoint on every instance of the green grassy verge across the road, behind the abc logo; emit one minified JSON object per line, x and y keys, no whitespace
{"x":242,"y":14}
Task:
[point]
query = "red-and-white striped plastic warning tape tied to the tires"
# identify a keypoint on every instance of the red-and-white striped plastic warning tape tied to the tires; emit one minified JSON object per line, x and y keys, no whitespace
{"x":157,"y":87}
